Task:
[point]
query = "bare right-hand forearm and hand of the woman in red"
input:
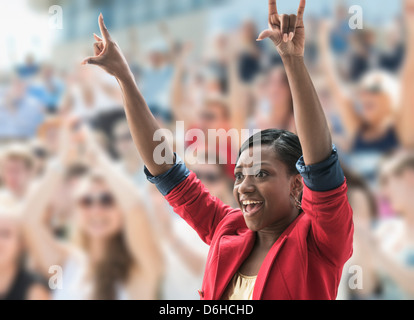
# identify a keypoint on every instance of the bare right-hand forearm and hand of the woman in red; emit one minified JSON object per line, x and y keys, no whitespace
{"x":288,"y":34}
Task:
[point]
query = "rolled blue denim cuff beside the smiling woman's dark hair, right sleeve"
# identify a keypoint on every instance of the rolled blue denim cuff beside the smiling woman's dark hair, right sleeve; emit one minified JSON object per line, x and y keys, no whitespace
{"x":325,"y":176}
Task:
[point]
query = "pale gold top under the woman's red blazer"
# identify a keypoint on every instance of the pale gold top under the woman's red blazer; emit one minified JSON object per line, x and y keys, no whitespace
{"x":241,"y":287}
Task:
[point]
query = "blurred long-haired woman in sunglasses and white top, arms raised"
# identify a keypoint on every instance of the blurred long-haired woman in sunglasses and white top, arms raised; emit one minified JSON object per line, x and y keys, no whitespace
{"x":113,"y":254}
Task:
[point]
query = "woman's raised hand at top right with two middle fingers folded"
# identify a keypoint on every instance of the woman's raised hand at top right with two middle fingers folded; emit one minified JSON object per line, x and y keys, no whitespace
{"x":286,"y":31}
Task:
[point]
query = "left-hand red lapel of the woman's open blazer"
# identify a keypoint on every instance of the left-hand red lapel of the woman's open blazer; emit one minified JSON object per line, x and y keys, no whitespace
{"x":233,"y":251}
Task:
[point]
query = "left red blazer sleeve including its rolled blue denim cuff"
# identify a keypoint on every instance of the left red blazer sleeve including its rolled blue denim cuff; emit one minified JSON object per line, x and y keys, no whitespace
{"x":191,"y":200}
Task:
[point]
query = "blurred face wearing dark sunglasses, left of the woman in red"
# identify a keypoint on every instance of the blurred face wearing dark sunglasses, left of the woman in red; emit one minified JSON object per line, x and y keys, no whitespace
{"x":99,"y":215}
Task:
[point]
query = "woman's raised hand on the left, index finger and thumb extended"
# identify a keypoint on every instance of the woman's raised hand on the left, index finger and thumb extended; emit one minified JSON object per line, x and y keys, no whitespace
{"x":107,"y":54}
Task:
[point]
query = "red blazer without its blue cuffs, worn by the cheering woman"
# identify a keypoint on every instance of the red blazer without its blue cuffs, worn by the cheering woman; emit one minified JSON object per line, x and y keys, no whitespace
{"x":305,"y":263}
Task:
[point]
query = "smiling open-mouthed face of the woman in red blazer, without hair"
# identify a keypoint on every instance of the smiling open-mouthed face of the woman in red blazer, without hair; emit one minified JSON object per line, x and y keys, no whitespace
{"x":264,"y":190}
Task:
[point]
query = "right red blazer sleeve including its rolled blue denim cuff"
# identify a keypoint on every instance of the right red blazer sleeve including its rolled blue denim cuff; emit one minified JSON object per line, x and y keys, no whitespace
{"x":325,"y":201}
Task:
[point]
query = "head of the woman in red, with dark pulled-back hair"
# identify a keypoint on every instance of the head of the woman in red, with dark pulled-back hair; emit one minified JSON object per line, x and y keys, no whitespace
{"x":260,"y":193}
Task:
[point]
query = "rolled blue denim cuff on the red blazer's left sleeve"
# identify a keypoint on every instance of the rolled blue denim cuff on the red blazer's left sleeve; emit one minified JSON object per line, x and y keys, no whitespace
{"x":169,"y":180}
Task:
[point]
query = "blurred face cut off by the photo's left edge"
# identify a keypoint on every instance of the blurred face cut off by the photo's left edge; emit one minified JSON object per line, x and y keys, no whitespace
{"x":10,"y":241}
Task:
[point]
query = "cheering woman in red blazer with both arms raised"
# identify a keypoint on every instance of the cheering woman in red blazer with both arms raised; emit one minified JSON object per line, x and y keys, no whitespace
{"x":277,"y":246}
